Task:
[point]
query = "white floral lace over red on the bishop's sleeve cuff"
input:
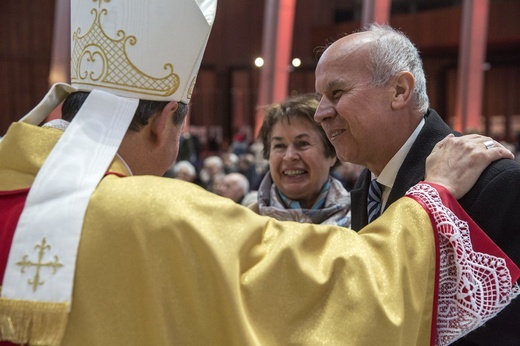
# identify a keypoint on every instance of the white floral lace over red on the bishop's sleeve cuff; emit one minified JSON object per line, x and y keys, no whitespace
{"x":473,"y":286}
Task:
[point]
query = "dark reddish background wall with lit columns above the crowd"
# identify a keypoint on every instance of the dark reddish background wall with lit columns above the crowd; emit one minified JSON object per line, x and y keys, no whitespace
{"x":228,"y":92}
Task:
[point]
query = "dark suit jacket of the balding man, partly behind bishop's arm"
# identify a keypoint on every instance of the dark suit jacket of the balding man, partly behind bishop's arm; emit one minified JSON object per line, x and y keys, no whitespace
{"x":493,"y":202}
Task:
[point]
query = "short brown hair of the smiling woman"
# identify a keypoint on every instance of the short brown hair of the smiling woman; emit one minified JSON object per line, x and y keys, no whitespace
{"x":301,"y":106}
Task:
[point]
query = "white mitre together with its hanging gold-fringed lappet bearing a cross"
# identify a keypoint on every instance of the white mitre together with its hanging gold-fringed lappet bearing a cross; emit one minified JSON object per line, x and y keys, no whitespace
{"x":122,"y":51}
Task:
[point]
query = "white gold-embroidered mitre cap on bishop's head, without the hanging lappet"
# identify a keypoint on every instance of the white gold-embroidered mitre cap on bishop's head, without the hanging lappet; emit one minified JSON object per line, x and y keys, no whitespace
{"x":142,"y":49}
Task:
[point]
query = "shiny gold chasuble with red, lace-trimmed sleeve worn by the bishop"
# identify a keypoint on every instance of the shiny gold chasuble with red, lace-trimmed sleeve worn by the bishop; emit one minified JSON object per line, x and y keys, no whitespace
{"x":163,"y":262}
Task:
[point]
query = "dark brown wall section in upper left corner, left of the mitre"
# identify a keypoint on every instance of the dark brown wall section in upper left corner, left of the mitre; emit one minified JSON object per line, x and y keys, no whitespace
{"x":25,"y":52}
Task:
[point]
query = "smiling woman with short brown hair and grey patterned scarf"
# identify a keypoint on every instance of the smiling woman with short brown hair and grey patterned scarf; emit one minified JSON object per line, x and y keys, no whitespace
{"x":299,"y":186}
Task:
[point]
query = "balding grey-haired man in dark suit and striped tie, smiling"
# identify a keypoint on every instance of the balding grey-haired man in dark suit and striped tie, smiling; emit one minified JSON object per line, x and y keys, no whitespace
{"x":375,"y":110}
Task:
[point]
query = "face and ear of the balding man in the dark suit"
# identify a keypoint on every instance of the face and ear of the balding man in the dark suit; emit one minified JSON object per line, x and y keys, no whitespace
{"x":354,"y":113}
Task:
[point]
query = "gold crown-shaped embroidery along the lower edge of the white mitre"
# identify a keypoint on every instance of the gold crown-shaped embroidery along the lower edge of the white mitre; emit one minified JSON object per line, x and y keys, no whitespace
{"x":99,"y":60}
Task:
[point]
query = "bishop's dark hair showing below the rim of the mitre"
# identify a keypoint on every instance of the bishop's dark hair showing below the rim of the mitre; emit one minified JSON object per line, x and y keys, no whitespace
{"x":145,"y":110}
